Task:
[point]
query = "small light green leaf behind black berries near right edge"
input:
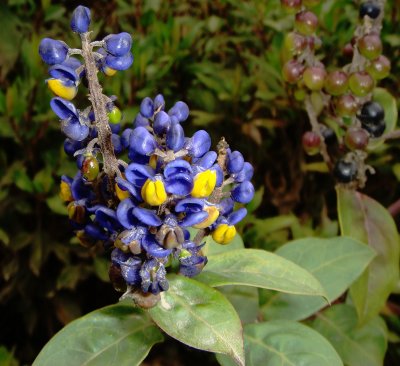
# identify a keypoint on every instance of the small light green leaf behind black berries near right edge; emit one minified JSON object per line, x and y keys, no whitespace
{"x":389,"y":104}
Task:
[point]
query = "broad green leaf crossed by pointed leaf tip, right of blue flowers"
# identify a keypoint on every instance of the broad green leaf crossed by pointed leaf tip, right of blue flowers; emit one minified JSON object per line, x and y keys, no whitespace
{"x":335,"y":262}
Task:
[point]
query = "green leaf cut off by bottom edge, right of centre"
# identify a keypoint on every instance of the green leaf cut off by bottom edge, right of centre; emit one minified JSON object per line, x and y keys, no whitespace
{"x":286,"y":343}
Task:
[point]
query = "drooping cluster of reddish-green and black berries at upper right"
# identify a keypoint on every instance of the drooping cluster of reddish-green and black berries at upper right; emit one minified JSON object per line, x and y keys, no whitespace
{"x":344,"y":96}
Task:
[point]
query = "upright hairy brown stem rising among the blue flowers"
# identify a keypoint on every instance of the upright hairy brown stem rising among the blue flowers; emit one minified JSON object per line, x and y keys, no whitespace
{"x":97,"y":99}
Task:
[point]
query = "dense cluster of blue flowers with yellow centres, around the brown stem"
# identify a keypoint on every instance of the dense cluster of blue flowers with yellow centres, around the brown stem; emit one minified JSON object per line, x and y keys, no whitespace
{"x":166,"y":183}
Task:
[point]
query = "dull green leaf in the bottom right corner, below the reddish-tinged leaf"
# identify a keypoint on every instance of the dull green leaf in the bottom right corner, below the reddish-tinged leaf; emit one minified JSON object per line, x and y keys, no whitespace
{"x":357,"y":346}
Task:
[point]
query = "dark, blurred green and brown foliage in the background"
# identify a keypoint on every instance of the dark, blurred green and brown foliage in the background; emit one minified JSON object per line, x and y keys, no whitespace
{"x":223,"y":58}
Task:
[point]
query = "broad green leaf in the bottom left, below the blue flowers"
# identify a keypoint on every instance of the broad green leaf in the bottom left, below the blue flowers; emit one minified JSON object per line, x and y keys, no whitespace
{"x":114,"y":335}
